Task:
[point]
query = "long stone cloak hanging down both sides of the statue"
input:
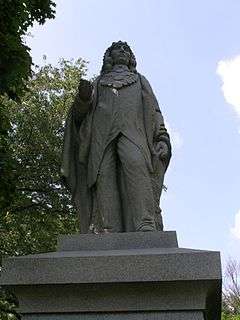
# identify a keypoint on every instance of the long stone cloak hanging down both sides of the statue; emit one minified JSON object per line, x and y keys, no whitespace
{"x":77,"y":143}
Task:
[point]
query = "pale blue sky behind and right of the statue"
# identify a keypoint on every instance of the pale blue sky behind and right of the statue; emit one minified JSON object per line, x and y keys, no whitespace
{"x":190,"y":53}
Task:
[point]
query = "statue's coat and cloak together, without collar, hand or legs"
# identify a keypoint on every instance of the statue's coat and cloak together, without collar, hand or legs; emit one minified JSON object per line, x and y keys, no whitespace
{"x":90,"y":128}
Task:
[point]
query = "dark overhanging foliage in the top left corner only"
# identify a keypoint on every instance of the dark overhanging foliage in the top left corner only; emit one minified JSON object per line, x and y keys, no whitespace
{"x":15,"y":60}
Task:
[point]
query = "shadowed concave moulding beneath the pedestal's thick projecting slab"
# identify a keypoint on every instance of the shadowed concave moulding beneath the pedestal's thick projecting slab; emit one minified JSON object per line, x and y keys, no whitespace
{"x":115,"y":297}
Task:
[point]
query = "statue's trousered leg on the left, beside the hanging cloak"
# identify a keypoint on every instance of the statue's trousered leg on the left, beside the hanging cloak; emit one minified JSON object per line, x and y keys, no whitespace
{"x":107,"y":192}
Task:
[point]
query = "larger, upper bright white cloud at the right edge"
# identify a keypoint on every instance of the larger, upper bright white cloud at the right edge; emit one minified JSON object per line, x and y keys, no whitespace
{"x":229,"y":71}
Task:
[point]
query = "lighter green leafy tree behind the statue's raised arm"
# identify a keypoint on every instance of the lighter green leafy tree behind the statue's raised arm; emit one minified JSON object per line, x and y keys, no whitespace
{"x":41,"y":207}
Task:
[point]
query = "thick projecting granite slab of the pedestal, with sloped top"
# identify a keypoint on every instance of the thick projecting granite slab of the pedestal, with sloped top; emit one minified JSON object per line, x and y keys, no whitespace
{"x":155,"y":264}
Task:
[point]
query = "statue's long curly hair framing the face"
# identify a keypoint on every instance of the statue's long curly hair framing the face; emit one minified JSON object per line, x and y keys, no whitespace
{"x":108,"y":61}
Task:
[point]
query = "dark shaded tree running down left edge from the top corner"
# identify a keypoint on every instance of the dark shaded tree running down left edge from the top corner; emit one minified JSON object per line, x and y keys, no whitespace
{"x":15,"y":68}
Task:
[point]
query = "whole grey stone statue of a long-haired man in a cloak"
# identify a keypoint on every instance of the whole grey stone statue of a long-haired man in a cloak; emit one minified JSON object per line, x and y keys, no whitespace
{"x":116,"y":149}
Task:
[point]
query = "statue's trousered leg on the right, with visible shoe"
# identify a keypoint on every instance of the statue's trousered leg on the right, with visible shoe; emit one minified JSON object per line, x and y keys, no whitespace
{"x":137,"y":196}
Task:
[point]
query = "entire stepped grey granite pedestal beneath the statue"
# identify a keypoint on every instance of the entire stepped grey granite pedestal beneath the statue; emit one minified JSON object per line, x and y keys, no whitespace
{"x":138,"y":275}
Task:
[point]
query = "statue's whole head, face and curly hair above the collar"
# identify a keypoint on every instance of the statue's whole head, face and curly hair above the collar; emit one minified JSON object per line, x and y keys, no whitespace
{"x":118,"y":53}
